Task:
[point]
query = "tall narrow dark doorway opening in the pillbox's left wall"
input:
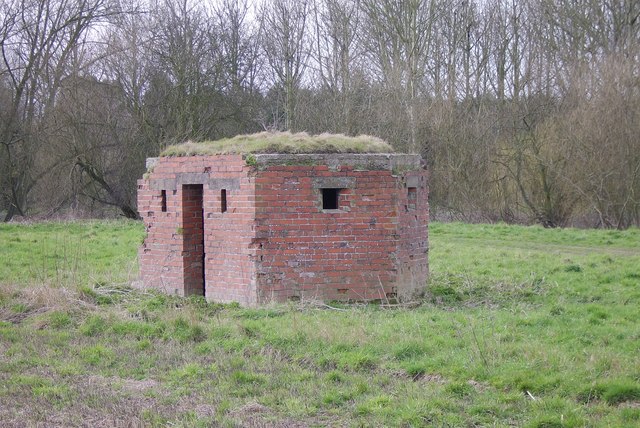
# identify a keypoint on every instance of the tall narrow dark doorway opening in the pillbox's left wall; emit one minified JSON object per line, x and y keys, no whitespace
{"x":193,"y":239}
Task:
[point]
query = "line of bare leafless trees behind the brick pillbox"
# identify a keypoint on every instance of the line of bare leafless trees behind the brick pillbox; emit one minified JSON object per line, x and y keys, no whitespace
{"x":525,"y":111}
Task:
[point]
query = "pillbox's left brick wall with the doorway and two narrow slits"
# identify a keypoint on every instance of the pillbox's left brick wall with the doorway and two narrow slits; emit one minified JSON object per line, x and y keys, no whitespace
{"x":171,"y":256}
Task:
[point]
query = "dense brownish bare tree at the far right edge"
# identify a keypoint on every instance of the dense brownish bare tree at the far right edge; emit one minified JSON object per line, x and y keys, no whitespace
{"x":599,"y":134}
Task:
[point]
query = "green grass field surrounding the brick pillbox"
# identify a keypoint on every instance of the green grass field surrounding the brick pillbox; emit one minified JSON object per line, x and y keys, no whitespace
{"x":521,"y":326}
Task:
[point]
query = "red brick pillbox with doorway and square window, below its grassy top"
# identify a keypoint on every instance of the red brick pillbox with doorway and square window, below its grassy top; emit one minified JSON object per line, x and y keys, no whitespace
{"x":254,"y":228}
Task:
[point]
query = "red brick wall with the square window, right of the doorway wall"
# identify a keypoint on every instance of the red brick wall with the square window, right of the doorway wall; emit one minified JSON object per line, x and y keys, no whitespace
{"x":351,"y":253}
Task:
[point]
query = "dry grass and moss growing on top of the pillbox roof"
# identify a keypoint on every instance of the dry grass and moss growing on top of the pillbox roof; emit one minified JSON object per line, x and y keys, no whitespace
{"x":282,"y":142}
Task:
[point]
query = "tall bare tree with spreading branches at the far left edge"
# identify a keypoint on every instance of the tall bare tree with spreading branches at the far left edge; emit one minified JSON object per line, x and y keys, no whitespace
{"x":38,"y":37}
